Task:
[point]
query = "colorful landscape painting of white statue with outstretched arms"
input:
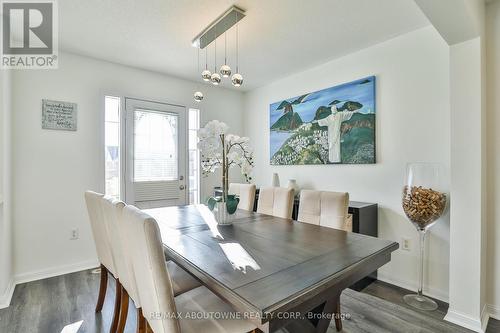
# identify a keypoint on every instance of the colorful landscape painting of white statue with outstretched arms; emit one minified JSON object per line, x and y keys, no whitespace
{"x":331,"y":126}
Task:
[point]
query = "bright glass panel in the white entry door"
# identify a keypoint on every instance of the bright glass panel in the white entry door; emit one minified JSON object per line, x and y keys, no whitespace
{"x":155,"y":146}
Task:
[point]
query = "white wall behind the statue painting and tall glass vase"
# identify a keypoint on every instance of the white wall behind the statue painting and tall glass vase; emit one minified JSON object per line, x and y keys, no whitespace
{"x":413,"y":124}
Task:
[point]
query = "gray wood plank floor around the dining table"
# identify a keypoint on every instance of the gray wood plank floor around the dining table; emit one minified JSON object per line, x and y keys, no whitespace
{"x":47,"y":306}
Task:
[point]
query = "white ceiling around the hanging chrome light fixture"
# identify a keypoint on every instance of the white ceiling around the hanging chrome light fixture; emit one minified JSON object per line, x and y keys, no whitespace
{"x":277,"y":37}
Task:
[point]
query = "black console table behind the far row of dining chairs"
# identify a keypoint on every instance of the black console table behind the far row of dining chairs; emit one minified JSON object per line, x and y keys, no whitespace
{"x":364,"y":221}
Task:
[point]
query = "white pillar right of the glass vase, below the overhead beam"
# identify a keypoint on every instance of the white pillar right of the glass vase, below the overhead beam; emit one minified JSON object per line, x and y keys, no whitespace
{"x":466,"y":278}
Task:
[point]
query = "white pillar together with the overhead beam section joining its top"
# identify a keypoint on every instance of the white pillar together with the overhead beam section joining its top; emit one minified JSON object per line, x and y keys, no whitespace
{"x":463,"y":29}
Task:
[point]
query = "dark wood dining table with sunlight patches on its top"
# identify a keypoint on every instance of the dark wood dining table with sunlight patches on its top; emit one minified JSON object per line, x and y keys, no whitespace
{"x":277,"y":272}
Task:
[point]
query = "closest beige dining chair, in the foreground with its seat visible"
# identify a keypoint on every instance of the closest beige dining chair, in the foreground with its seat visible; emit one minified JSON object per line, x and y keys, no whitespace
{"x":163,"y":312}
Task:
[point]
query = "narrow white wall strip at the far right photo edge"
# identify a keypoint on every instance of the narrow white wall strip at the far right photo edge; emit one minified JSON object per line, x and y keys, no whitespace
{"x":493,"y":149}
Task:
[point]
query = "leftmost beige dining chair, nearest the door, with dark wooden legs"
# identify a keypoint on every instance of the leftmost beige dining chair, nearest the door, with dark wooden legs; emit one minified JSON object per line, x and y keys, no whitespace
{"x":103,"y":249}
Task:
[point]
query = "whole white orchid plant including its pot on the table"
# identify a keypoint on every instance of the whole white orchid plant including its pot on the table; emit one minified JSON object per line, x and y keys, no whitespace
{"x":222,"y":150}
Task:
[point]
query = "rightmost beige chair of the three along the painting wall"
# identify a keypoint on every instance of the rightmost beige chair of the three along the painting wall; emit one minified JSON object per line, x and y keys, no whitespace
{"x":328,"y":209}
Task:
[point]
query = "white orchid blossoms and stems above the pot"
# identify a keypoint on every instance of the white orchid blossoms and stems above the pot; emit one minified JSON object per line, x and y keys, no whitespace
{"x":222,"y":150}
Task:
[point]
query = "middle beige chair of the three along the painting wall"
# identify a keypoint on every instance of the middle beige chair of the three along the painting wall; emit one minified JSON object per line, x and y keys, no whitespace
{"x":276,"y":201}
